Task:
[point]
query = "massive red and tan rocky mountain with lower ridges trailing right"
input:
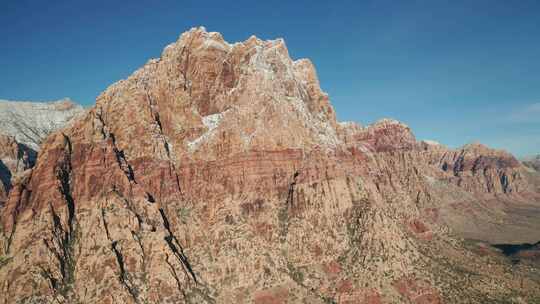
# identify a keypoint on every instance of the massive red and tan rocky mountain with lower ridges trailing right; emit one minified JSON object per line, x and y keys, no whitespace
{"x":218,"y":173}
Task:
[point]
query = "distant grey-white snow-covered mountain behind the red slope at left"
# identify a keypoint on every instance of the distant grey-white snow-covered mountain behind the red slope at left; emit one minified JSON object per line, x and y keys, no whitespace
{"x":31,"y":122}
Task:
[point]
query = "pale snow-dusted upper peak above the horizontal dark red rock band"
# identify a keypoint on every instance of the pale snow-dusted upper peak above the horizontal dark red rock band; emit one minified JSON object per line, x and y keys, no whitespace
{"x":204,"y":89}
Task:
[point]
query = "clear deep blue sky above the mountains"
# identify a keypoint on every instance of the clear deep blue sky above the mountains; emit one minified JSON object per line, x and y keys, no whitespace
{"x":455,"y":71}
